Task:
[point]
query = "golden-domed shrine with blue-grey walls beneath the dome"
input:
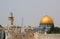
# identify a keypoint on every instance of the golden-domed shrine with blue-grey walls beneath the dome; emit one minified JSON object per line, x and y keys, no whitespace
{"x":46,"y":24}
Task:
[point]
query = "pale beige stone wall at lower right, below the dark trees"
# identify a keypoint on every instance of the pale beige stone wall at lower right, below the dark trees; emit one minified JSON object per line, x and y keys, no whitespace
{"x":46,"y":36}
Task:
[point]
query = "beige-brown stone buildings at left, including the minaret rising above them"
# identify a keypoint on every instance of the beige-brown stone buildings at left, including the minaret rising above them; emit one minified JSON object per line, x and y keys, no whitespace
{"x":17,"y":32}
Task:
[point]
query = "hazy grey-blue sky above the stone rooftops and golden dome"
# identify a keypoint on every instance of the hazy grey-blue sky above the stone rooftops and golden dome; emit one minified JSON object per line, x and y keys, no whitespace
{"x":31,"y":11}
